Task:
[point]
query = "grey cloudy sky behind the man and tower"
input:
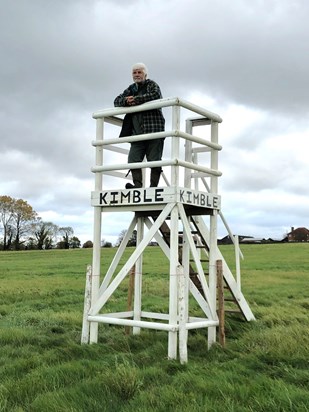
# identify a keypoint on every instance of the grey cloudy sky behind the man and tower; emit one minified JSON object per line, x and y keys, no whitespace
{"x":246,"y":60}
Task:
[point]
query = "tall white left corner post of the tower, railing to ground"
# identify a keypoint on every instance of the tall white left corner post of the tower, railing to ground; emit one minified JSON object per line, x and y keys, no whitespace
{"x":96,"y":257}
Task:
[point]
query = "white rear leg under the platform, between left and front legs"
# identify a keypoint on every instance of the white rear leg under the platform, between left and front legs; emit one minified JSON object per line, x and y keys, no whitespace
{"x":138,"y":276}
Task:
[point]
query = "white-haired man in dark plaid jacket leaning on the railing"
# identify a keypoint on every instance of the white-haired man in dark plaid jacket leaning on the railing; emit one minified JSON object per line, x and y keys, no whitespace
{"x":141,"y":91}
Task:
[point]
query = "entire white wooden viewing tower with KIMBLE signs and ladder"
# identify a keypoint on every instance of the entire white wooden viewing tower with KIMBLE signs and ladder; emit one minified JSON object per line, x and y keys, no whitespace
{"x":185,"y":209}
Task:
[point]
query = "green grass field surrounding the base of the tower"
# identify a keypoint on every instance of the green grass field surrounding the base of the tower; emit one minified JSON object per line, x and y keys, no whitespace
{"x":43,"y":367}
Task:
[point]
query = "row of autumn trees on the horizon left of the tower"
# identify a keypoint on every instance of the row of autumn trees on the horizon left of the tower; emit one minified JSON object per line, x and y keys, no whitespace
{"x":22,"y":228}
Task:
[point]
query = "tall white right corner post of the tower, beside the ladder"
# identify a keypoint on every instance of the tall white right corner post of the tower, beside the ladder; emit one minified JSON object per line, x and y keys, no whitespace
{"x":213,"y":234}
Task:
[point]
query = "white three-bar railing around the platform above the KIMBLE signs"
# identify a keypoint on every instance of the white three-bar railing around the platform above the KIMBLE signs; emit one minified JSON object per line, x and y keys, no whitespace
{"x":176,"y":161}
